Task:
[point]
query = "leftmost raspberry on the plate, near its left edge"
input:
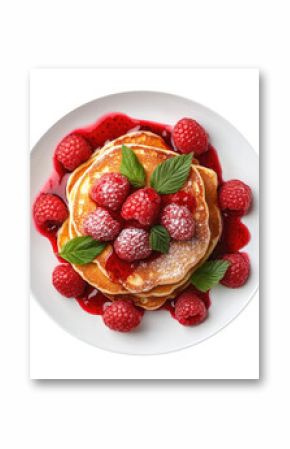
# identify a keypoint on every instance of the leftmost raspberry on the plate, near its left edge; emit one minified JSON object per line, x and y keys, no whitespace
{"x":49,"y":212}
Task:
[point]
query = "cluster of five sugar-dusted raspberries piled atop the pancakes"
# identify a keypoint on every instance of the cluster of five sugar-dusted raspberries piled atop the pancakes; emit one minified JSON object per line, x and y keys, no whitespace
{"x":126,"y":218}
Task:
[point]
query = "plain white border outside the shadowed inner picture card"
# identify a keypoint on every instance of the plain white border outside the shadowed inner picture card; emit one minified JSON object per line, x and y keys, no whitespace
{"x":168,"y":414}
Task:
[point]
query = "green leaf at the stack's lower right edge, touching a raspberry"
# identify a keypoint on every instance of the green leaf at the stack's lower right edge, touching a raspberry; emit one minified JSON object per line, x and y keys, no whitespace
{"x":209,"y":274}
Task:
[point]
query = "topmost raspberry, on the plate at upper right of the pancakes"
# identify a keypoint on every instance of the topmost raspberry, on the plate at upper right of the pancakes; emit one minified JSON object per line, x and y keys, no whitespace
{"x":189,"y":136}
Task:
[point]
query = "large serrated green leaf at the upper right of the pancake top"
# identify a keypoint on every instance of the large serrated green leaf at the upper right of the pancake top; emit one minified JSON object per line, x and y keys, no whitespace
{"x":170,"y":176}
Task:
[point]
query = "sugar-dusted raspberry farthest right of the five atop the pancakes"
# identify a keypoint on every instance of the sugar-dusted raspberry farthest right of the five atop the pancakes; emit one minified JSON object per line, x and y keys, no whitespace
{"x":178,"y":221}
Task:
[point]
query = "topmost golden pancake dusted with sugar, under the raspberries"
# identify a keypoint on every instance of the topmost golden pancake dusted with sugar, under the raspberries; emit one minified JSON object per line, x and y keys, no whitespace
{"x":169,"y":268}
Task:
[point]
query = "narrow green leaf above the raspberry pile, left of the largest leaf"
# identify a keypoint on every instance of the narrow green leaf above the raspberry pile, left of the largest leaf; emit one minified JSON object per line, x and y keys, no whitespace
{"x":132,"y":168}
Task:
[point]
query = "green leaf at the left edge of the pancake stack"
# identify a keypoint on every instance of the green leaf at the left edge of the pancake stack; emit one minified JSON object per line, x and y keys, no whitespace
{"x":81,"y":250}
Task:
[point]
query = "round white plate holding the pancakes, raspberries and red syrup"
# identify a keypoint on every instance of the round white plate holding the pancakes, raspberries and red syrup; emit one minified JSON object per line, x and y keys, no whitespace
{"x":159,"y":333}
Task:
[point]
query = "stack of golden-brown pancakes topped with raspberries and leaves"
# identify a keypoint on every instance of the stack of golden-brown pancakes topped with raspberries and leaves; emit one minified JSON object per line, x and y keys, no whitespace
{"x":154,"y":281}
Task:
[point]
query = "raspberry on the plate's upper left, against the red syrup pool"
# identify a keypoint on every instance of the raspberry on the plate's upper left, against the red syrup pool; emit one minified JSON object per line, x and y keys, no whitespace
{"x":72,"y":151}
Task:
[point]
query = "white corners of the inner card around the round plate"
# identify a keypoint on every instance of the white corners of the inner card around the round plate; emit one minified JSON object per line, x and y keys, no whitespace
{"x":237,"y":347}
